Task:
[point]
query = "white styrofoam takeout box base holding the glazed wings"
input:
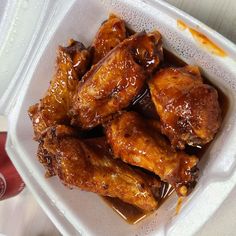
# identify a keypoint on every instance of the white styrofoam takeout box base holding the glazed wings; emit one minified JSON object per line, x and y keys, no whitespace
{"x":76,"y":212}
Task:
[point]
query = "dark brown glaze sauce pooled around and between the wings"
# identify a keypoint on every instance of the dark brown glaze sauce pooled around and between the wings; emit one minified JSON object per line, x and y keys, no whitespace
{"x":133,"y":214}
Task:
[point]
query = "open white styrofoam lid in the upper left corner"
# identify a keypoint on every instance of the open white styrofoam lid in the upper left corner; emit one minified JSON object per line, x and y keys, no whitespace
{"x":23,"y":24}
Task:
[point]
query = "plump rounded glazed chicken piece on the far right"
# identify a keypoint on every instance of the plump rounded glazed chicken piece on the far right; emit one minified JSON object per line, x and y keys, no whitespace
{"x":189,"y":109}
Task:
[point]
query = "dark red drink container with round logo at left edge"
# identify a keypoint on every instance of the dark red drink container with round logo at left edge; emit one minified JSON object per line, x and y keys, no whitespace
{"x":11,"y":183}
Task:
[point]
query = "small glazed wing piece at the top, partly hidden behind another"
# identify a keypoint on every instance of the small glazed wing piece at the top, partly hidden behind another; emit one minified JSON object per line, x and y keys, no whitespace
{"x":110,"y":34}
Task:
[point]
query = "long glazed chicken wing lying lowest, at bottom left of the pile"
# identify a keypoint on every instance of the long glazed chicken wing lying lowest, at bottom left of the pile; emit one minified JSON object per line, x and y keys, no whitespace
{"x":90,"y":167}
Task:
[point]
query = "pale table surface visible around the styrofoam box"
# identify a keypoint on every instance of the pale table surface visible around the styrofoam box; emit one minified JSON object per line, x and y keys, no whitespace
{"x":21,"y":215}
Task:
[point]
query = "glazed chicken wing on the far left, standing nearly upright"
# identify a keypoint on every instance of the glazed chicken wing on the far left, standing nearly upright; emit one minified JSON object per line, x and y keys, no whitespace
{"x":72,"y":63}
